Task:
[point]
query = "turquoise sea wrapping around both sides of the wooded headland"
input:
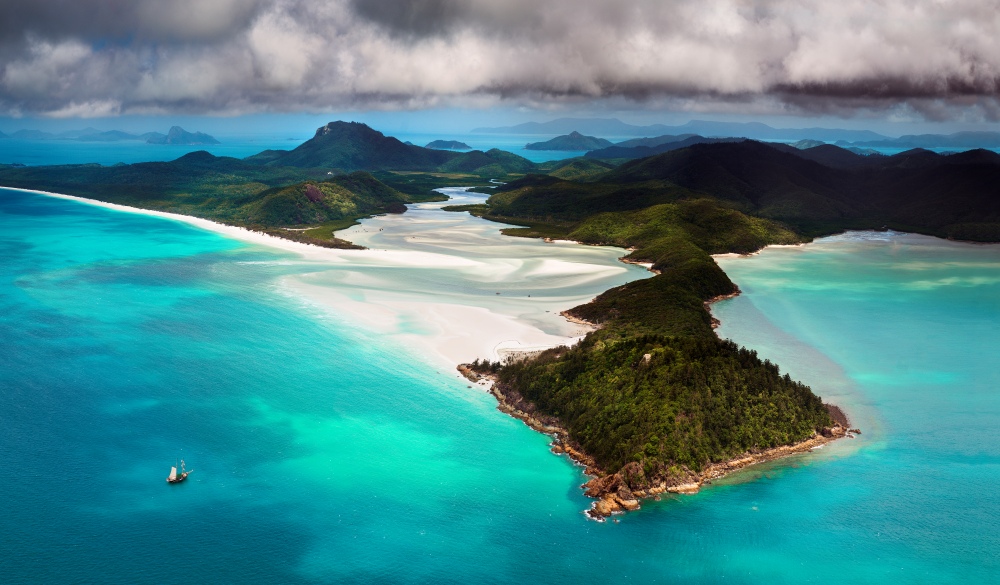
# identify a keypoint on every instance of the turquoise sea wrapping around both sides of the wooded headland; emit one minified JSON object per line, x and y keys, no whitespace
{"x":326,"y":454}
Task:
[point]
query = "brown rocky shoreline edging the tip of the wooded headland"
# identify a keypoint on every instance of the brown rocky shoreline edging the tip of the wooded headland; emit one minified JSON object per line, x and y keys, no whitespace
{"x":619,"y":492}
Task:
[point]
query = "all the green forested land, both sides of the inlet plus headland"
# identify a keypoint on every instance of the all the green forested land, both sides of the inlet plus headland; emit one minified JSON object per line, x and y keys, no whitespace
{"x":652,"y":399}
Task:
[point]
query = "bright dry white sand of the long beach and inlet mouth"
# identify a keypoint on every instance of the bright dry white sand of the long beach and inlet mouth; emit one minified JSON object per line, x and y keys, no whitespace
{"x":452,"y":330}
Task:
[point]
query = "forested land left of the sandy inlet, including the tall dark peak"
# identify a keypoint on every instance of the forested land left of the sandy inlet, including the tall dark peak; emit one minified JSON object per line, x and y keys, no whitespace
{"x":305,"y":194}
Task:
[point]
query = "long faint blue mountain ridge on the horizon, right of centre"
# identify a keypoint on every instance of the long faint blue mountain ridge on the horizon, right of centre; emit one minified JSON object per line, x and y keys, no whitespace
{"x":615,"y":127}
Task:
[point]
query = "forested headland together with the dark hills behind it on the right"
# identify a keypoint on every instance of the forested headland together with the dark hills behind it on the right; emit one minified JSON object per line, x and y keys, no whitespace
{"x":697,"y":399}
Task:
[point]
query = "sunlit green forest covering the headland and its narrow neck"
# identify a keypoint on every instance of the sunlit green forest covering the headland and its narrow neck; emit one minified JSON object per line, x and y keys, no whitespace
{"x":697,"y":399}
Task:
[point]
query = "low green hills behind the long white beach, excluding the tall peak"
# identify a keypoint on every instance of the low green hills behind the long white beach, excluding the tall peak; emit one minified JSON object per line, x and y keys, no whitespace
{"x":229,"y":191}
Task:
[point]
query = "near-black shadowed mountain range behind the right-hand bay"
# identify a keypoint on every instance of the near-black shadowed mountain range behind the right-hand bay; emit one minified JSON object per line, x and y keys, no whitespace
{"x":940,"y":194}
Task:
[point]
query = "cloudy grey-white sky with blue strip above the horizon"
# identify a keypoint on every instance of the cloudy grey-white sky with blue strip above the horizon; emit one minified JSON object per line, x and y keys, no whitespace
{"x":919,"y":65}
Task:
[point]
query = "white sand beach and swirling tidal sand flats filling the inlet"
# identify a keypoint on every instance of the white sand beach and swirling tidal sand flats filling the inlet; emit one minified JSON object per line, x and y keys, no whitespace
{"x":446,"y":285}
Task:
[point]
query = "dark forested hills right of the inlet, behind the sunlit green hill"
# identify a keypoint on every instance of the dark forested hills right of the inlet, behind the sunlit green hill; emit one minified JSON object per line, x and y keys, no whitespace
{"x":815,"y":191}
